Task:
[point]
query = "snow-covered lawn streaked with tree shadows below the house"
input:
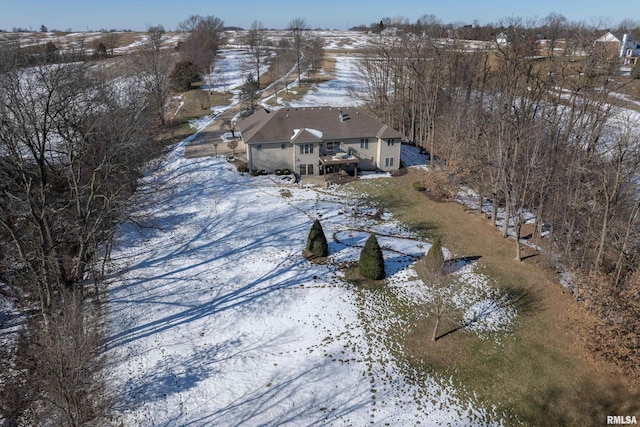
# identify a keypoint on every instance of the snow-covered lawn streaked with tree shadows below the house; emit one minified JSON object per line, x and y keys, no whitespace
{"x":217,"y":319}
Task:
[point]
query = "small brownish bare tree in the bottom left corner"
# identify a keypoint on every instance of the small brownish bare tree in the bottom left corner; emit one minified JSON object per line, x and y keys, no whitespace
{"x":65,"y":364}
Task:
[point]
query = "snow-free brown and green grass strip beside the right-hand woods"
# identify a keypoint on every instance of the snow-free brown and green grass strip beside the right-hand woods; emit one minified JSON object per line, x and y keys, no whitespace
{"x":543,"y":373}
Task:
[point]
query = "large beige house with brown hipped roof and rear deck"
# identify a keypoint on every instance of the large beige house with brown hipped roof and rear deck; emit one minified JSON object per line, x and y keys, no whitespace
{"x":318,"y":140}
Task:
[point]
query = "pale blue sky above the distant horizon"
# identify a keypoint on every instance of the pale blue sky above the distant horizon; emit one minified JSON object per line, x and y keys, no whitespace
{"x":81,"y":15}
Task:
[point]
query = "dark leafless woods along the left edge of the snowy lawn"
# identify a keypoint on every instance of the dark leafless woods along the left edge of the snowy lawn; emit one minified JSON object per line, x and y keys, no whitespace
{"x":74,"y":142}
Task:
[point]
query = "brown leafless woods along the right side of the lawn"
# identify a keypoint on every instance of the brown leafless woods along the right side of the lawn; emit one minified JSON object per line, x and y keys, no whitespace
{"x":531,"y":125}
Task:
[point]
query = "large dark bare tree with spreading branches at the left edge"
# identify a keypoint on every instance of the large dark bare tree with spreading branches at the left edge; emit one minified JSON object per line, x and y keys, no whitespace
{"x":69,"y":153}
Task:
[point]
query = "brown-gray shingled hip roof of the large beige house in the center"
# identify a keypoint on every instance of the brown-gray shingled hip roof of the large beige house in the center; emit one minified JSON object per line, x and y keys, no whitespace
{"x":281,"y":125}
